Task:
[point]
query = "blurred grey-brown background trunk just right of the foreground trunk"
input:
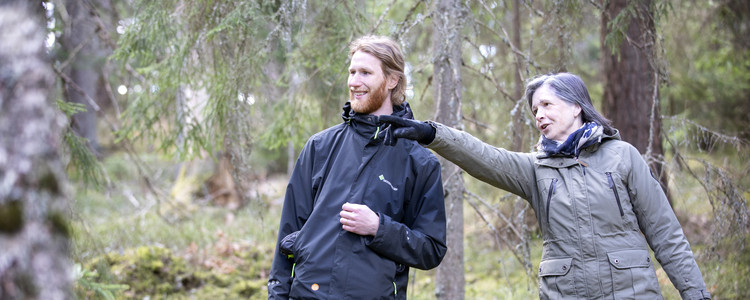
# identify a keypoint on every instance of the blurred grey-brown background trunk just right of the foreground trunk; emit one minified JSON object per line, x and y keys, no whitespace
{"x":81,"y":41}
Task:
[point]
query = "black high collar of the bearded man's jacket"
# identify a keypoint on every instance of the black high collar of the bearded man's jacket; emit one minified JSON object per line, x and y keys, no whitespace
{"x":369,"y":126}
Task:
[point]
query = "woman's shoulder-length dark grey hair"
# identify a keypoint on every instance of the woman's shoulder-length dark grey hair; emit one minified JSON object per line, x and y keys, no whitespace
{"x":570,"y":88}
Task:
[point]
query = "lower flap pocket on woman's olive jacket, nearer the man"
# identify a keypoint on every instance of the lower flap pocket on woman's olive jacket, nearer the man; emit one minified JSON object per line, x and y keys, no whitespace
{"x":554,"y":280}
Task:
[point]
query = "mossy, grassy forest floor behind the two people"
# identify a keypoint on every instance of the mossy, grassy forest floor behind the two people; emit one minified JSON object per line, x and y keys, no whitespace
{"x":160,"y":238}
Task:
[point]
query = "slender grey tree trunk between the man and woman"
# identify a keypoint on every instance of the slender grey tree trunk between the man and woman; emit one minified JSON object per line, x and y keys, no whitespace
{"x":448,"y":21}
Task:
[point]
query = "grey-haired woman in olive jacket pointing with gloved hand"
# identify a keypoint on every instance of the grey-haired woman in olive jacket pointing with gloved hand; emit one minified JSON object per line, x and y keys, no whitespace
{"x":597,"y":204}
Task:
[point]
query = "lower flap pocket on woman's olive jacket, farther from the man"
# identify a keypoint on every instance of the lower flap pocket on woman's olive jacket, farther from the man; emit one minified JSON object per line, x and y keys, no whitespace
{"x":633,"y":275}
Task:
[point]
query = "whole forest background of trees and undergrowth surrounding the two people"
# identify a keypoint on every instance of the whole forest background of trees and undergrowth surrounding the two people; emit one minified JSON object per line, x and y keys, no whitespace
{"x":155,"y":163}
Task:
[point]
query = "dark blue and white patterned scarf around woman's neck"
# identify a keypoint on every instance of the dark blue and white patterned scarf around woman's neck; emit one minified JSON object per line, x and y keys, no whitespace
{"x":589,"y":134}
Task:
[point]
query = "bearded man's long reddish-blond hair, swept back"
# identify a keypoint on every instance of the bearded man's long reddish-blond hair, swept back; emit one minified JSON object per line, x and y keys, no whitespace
{"x":391,"y":60}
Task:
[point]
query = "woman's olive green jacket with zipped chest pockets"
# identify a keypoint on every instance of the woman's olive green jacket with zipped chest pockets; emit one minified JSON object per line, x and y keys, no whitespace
{"x":598,"y":215}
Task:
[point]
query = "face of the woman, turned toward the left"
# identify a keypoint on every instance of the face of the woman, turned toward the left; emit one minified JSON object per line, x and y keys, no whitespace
{"x":555,"y":118}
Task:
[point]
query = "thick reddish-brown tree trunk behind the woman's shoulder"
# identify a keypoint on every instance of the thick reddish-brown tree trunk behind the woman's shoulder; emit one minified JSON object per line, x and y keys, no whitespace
{"x":631,"y":83}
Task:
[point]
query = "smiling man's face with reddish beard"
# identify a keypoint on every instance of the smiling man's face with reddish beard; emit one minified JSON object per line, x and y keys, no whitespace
{"x":368,"y":91}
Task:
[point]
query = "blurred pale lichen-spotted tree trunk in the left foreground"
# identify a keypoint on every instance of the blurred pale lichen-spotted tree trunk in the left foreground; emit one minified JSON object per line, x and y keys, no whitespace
{"x":34,"y":233}
